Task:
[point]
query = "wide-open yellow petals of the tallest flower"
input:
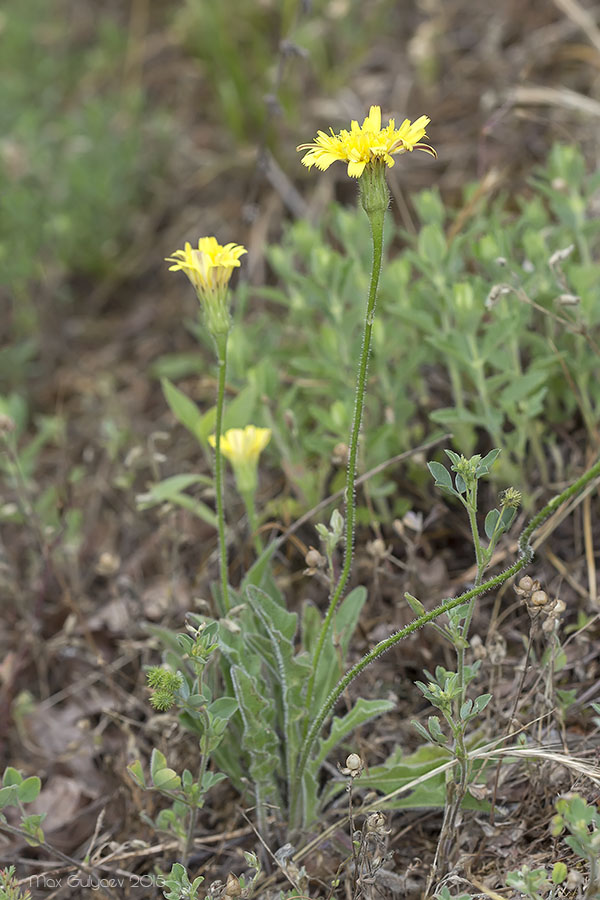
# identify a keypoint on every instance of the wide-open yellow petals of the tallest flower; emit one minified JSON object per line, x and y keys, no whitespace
{"x":364,"y":144}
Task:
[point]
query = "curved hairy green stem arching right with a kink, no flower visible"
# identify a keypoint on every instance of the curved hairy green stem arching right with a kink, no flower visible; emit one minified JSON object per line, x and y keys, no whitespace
{"x":525,"y":555}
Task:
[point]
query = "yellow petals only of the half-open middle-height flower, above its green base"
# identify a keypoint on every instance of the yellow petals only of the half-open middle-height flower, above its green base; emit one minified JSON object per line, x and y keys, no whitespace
{"x":209,"y":266}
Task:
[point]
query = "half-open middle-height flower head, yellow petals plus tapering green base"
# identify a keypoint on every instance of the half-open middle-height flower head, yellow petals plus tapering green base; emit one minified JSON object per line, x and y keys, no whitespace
{"x":209,"y":268}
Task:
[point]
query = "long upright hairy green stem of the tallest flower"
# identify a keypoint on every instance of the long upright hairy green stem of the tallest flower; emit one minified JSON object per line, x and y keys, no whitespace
{"x":376,"y":220}
